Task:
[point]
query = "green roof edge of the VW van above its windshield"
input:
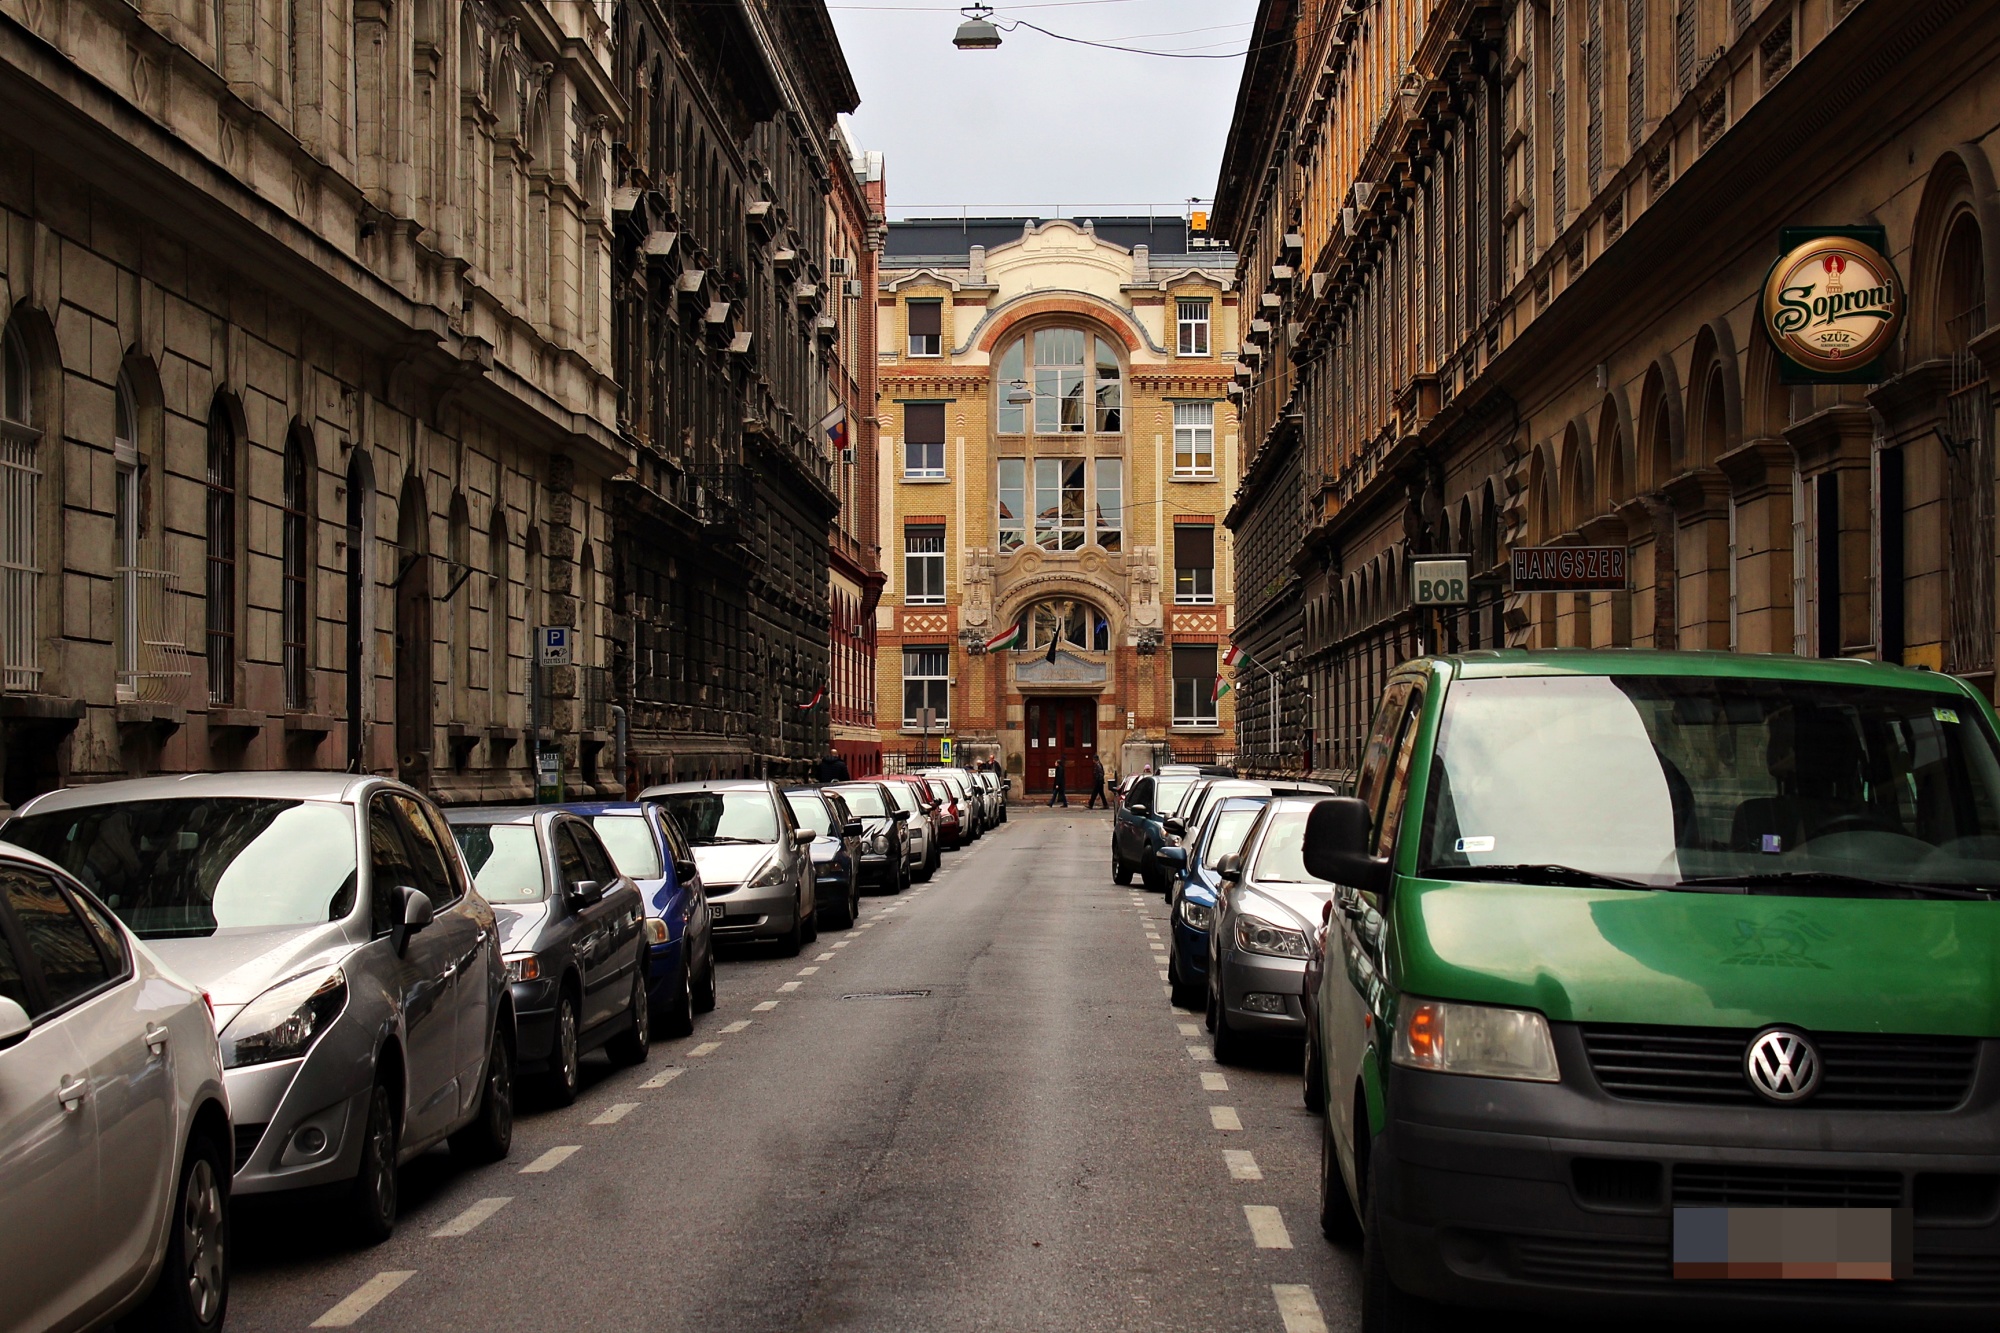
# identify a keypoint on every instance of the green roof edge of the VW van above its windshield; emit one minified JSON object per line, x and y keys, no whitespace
{"x":1491,"y":663}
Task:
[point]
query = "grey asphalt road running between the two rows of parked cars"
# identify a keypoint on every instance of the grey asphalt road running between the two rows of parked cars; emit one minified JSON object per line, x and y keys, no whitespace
{"x":977,"y":1110}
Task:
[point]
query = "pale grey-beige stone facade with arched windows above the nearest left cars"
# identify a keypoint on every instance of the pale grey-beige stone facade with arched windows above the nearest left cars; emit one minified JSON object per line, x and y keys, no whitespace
{"x":307,"y":387}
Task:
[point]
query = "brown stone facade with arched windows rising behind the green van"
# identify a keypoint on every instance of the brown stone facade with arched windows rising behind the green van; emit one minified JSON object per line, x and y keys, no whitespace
{"x":1519,"y":307}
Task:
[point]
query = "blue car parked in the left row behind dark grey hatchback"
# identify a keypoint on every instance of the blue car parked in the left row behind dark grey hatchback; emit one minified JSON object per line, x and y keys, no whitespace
{"x":681,"y":954}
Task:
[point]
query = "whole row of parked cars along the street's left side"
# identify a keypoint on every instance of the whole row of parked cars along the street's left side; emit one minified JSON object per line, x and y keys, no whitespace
{"x":257,"y":984}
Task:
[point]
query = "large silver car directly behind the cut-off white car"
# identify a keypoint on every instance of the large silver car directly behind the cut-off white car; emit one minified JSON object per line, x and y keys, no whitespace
{"x":355,"y":972}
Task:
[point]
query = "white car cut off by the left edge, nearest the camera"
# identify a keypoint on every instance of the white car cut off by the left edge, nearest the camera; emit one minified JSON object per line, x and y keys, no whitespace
{"x":115,"y":1128}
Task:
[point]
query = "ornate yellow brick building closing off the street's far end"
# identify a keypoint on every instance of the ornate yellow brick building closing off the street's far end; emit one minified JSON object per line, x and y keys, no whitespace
{"x":1059,"y":447}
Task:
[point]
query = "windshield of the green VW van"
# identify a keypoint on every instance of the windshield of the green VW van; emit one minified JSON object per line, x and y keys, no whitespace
{"x":1663,"y":780}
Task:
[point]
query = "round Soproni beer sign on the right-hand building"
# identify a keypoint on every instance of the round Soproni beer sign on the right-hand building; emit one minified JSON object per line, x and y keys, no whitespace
{"x":1833,"y":305}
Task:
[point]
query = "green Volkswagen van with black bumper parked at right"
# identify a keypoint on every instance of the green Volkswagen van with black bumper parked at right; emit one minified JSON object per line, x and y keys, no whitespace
{"x":1665,"y":984}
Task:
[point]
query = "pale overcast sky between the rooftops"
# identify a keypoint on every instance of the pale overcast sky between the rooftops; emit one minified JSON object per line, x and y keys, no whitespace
{"x":1043,"y":123}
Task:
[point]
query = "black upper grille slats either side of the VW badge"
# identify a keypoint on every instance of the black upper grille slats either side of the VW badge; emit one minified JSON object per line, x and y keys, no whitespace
{"x":1863,"y":1072}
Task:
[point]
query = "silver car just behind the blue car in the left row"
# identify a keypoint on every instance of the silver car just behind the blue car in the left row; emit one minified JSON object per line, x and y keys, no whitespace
{"x":755,"y":858}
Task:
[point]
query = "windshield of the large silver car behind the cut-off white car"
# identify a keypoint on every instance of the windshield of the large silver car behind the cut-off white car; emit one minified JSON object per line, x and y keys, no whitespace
{"x":193,"y":868}
